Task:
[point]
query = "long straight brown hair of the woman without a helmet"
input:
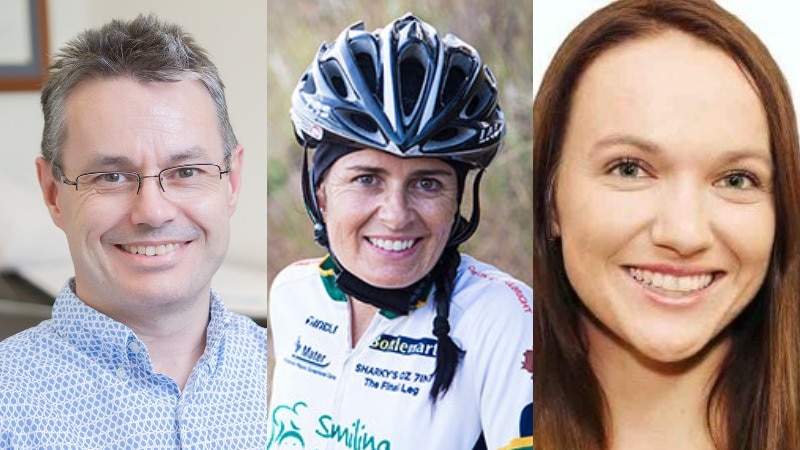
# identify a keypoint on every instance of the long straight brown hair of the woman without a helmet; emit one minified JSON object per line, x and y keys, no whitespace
{"x":756,"y":389}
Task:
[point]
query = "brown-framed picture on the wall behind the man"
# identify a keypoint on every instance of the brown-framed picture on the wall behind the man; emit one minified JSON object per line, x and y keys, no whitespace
{"x":23,"y":44}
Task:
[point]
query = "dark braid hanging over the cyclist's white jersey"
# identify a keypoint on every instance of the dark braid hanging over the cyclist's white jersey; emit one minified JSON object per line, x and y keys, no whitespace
{"x":448,"y":354}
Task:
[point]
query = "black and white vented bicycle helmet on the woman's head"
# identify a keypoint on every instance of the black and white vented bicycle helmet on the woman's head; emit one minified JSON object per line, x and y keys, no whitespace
{"x":402,"y":89}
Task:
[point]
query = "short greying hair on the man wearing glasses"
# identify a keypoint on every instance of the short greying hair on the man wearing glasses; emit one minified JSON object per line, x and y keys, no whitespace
{"x":144,"y":49}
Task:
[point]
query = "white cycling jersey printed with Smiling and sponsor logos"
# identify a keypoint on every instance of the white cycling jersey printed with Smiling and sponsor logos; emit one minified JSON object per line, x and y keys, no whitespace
{"x":329,"y":394}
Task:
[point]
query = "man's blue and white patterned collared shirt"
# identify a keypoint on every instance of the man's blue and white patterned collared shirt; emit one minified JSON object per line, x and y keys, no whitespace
{"x":84,"y":381}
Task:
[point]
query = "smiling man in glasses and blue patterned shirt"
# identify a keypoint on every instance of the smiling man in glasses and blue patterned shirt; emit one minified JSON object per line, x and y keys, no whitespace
{"x":141,"y":170}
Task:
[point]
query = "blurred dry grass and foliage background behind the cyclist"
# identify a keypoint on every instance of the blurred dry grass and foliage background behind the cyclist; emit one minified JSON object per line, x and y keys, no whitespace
{"x":501,"y":31}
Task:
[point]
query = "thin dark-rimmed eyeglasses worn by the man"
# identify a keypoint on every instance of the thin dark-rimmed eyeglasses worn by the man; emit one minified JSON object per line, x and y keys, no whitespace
{"x":177,"y":183}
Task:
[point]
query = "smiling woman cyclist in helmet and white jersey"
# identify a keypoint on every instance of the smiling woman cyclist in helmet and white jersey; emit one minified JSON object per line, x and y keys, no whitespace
{"x":395,"y":339}
